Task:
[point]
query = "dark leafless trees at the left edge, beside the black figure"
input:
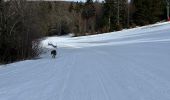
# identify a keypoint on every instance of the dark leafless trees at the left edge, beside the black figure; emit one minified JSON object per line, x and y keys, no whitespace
{"x":18,"y":30}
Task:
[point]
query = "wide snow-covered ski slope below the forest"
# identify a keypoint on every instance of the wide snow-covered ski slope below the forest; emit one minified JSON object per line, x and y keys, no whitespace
{"x":131,"y":64}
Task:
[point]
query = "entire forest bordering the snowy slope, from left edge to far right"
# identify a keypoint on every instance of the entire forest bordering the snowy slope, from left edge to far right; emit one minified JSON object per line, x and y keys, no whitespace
{"x":23,"y":22}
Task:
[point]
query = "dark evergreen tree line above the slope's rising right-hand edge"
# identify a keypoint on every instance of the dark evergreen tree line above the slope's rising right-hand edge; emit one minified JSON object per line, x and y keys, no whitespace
{"x":94,"y":17}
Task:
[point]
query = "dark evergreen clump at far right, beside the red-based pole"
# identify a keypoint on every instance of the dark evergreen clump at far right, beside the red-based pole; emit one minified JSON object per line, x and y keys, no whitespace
{"x":147,"y":11}
